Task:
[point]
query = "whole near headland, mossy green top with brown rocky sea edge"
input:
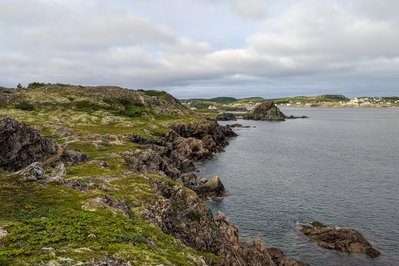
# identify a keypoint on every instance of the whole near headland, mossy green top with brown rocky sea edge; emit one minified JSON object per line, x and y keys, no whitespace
{"x":106,"y":176}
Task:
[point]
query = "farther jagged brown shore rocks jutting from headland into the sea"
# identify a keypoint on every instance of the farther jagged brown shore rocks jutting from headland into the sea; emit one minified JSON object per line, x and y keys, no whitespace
{"x":173,"y":156}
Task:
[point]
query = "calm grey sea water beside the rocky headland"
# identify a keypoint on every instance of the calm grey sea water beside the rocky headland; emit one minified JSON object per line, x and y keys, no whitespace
{"x":340,"y":167}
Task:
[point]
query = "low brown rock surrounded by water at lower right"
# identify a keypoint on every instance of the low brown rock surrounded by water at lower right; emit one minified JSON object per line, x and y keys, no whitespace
{"x":346,"y":240}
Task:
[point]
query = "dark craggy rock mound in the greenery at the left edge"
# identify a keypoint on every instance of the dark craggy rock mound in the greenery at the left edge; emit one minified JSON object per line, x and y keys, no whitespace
{"x":21,"y":145}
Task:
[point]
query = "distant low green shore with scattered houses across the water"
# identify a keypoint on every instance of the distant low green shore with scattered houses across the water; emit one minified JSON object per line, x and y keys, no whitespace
{"x":327,"y":100}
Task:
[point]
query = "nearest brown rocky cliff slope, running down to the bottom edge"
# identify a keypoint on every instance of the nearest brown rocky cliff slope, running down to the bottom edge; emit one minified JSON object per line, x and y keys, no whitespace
{"x":187,"y":217}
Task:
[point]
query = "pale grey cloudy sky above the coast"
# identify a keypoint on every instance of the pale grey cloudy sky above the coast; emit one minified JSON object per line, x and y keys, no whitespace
{"x":203,"y":48}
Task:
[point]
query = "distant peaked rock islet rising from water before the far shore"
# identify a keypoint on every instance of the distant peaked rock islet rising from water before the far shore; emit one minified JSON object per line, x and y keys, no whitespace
{"x":266,"y":111}
